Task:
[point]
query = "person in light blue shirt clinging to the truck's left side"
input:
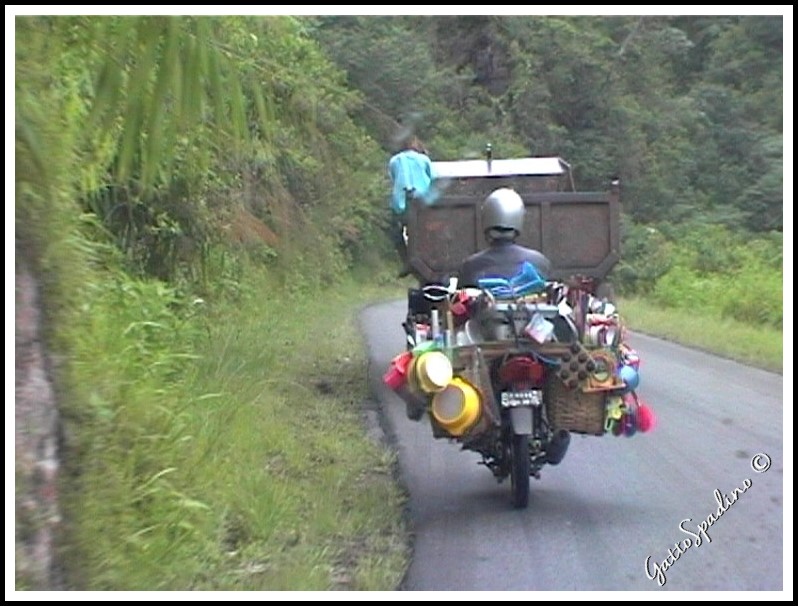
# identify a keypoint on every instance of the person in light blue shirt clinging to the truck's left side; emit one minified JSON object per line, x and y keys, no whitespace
{"x":411,"y":176}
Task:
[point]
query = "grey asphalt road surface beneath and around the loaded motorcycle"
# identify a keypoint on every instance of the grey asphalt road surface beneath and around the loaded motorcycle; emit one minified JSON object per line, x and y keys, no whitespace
{"x":617,"y":510}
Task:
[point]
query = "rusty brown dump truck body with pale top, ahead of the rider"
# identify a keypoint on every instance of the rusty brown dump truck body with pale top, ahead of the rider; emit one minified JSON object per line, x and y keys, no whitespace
{"x":578,"y":231}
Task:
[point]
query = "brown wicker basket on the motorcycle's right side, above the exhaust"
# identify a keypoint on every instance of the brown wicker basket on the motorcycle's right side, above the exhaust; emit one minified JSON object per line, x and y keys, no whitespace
{"x":573,"y":409}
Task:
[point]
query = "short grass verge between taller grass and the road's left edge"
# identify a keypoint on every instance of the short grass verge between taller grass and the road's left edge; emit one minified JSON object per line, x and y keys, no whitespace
{"x":303,"y":499}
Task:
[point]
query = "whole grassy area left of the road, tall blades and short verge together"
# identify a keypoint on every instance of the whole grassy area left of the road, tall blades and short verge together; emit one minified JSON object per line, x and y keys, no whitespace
{"x":248,"y":470}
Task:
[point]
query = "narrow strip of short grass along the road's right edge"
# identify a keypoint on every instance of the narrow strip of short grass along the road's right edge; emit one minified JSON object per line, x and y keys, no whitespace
{"x":757,"y":345}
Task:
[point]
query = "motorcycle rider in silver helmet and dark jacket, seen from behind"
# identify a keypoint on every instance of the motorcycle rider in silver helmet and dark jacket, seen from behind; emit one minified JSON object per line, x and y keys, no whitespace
{"x":503,"y":220}
